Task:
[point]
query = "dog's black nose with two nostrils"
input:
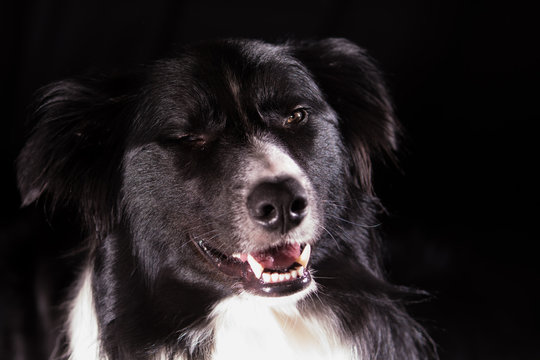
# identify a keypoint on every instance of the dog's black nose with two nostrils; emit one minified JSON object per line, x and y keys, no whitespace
{"x":278,"y":205}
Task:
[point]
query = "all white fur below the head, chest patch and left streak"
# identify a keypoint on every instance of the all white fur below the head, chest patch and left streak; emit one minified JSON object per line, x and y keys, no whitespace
{"x":239,"y":327}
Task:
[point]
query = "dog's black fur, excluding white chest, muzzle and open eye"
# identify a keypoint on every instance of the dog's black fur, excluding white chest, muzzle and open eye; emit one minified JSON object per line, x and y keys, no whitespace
{"x":149,"y":157}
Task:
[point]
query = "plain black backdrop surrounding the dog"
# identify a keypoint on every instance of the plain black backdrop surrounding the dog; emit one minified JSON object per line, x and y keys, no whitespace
{"x":462,"y":208}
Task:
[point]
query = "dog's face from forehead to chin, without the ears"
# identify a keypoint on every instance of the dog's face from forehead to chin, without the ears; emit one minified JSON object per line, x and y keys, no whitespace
{"x":241,"y":162}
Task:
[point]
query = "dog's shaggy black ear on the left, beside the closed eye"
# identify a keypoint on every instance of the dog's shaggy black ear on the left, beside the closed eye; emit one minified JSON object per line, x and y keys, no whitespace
{"x":70,"y":156}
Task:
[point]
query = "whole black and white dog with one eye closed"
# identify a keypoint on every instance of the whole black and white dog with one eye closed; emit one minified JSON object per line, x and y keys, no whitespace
{"x":228,"y":201}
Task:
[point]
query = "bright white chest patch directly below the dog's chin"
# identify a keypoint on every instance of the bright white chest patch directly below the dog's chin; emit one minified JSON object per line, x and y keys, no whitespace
{"x":246,"y":329}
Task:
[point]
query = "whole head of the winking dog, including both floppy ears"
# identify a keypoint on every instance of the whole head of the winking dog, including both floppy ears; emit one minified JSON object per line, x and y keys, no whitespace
{"x":225,"y":166}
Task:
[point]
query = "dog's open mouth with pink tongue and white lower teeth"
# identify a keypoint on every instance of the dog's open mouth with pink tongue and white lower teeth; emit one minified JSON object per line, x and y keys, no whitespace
{"x":277,"y":271}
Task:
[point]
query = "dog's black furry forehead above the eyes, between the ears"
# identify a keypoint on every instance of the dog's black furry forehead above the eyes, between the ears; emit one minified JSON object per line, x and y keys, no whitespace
{"x":235,"y":79}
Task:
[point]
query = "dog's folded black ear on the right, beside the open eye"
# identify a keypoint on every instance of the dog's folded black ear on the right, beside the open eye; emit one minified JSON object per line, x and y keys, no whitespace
{"x":353,"y":86}
